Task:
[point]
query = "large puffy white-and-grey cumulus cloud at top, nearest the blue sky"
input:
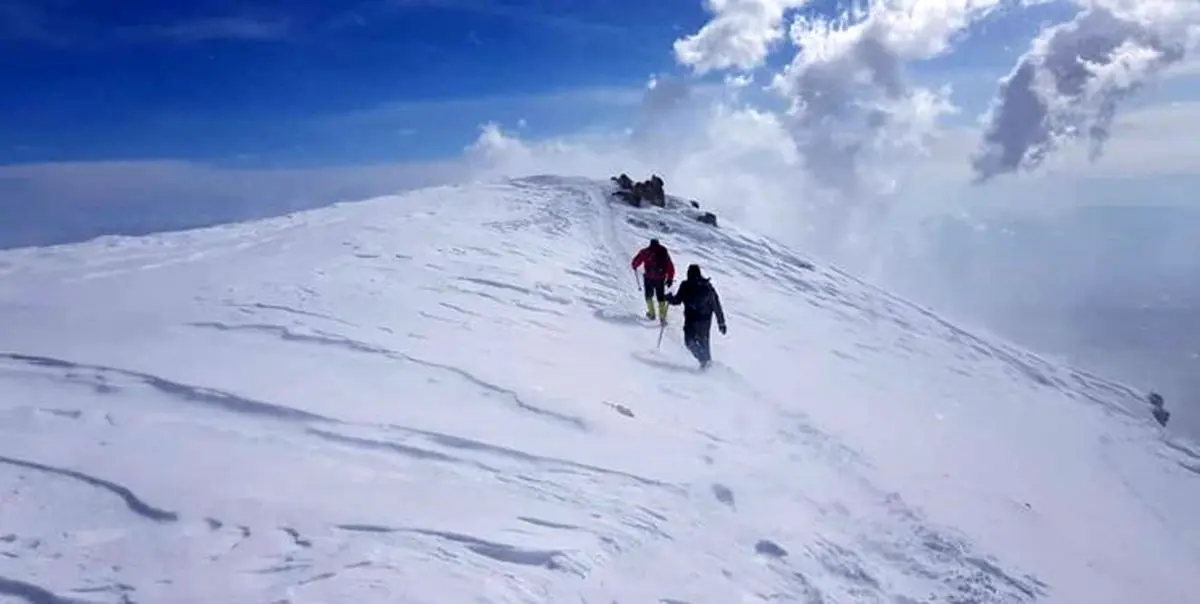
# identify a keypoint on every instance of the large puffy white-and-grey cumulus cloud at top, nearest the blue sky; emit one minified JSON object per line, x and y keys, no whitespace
{"x":849,"y":107}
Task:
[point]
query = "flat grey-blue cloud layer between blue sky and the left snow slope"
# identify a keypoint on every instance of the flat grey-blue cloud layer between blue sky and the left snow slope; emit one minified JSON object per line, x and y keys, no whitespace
{"x":59,"y":204}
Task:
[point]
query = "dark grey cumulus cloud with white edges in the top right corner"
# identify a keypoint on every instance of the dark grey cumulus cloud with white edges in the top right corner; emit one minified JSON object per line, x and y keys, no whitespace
{"x":1076,"y":75}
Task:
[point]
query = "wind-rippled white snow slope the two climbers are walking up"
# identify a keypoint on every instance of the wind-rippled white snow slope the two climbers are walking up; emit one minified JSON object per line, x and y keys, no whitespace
{"x":452,"y":397}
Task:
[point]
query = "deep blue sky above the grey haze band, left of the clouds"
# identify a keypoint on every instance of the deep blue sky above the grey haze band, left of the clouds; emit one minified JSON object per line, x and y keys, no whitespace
{"x":311,"y":81}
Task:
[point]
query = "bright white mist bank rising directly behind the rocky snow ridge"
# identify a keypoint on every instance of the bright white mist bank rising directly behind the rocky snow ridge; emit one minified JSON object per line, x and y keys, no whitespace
{"x":745,"y":164}
